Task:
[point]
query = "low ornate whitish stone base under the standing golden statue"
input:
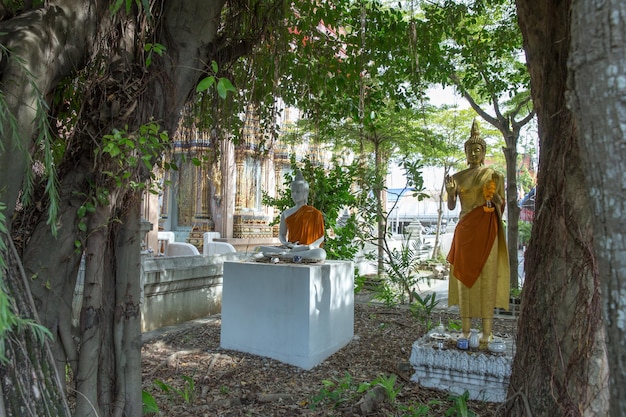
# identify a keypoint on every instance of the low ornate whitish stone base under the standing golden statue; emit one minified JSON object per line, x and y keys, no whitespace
{"x":483,"y":374}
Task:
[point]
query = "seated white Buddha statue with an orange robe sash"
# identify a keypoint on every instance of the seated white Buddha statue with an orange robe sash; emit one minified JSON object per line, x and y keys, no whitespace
{"x":301,"y":230}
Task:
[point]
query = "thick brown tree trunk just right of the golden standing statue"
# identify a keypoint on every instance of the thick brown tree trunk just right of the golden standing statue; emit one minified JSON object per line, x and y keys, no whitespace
{"x":560,"y":365}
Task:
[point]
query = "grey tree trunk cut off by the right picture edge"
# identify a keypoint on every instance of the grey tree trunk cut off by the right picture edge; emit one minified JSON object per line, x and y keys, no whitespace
{"x":597,"y":67}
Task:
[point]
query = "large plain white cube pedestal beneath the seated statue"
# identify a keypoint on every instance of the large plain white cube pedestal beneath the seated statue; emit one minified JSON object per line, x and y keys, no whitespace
{"x":299,"y":314}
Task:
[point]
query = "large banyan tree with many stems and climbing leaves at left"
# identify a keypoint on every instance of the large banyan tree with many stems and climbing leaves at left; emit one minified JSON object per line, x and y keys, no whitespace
{"x":88,"y":93}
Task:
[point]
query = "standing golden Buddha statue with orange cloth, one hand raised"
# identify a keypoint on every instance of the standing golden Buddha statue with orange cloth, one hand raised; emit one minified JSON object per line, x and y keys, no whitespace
{"x":479,"y":273}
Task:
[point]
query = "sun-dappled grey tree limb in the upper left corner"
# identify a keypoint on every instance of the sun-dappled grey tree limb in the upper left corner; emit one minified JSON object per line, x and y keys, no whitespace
{"x":45,"y":45}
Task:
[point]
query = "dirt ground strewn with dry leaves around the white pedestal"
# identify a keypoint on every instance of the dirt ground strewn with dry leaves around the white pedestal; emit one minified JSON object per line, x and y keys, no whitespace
{"x":188,"y":374}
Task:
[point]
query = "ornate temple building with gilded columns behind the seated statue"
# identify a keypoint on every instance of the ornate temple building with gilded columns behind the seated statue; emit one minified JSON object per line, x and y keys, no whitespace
{"x":218,"y":186}
